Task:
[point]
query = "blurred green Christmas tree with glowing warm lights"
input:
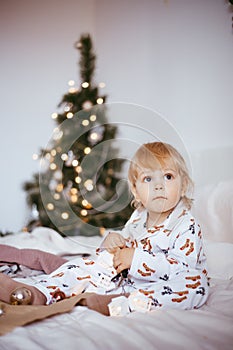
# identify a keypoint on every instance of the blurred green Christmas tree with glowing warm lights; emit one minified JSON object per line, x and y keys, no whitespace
{"x":79,"y":189}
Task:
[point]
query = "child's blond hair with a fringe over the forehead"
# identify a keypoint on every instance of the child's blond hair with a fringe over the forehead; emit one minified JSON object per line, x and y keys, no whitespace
{"x":149,"y":155}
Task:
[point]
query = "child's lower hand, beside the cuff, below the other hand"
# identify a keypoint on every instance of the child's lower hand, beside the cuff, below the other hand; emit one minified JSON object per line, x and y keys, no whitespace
{"x":122,"y":259}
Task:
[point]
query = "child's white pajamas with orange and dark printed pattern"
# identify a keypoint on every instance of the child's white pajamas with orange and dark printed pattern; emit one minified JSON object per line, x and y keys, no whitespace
{"x":168,"y":266}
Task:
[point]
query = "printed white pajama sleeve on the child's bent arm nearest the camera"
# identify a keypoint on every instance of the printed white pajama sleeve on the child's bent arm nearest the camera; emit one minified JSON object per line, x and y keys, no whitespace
{"x":184,"y":252}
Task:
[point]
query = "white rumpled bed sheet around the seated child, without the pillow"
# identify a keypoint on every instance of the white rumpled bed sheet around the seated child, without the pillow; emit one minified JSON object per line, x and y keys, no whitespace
{"x":210,"y":327}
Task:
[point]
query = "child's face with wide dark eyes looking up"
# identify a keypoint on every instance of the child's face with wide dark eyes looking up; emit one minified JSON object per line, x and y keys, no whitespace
{"x":159,"y":189}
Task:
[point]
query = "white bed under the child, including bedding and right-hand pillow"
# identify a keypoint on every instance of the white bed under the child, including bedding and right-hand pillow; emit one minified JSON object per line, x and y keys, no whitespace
{"x":210,"y":327}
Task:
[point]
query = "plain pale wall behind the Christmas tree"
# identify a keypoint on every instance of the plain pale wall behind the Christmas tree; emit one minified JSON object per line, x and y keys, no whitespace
{"x":172,"y":56}
